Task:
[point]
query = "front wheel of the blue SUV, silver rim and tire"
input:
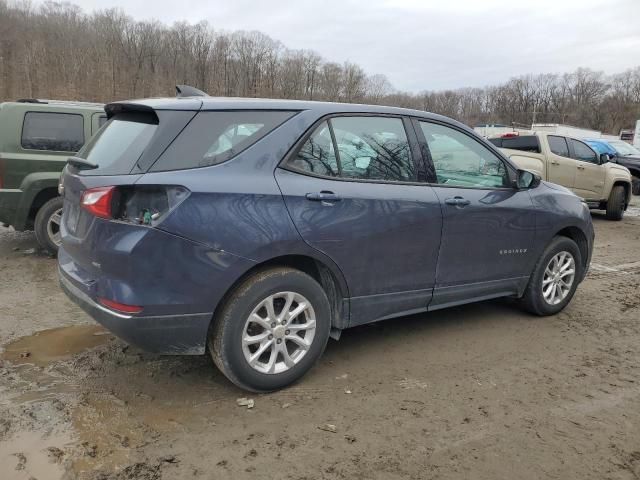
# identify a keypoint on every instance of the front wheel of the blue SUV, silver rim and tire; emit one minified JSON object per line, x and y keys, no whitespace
{"x":554,"y":279}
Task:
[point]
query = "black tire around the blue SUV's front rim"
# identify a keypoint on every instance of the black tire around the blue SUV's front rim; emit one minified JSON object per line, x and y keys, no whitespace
{"x":534,"y":299}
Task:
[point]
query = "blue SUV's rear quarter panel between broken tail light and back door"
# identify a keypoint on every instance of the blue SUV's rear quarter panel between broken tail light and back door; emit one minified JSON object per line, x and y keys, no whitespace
{"x":237,"y":207}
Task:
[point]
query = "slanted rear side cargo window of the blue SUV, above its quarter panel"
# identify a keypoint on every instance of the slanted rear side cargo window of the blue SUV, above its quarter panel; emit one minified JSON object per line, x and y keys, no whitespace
{"x":214,"y":137}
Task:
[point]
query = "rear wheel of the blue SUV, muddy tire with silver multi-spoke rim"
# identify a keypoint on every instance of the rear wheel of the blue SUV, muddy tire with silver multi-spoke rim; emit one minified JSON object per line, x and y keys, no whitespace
{"x":232,"y":325}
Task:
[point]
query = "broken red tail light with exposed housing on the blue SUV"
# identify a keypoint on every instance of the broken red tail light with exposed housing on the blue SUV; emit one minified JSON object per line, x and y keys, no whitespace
{"x":141,"y":205}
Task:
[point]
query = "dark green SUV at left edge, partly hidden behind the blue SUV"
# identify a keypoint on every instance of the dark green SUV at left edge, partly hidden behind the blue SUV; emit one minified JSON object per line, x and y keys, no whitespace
{"x":36,"y":138}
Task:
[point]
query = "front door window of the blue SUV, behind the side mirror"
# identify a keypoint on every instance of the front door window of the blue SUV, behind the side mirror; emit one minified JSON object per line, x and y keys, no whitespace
{"x":461,"y":161}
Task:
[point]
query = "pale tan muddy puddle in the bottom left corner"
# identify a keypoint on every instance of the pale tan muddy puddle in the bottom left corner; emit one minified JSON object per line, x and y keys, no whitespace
{"x":30,"y":455}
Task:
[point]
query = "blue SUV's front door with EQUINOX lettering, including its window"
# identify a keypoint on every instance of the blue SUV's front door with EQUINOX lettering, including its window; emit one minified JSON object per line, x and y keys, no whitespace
{"x":488,"y":229}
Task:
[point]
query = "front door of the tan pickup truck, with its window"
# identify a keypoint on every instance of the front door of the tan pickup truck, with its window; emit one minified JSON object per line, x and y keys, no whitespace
{"x":590,"y":175}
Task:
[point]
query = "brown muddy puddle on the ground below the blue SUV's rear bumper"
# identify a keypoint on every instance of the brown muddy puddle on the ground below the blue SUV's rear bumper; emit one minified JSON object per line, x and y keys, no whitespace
{"x":47,"y":346}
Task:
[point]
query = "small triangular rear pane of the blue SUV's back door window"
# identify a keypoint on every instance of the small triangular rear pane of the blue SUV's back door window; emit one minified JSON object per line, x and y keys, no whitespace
{"x":317,"y":154}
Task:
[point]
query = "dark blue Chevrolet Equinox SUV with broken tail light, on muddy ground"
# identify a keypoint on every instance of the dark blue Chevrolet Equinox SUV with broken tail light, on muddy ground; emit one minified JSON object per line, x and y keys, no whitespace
{"x":257,"y":229}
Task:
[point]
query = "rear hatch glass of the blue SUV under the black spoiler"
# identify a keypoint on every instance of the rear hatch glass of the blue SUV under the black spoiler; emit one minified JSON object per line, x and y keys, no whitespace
{"x":117,"y":147}
